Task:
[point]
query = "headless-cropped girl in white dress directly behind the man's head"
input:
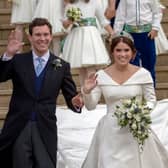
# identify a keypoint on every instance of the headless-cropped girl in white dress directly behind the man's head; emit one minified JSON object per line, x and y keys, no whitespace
{"x":53,"y":11}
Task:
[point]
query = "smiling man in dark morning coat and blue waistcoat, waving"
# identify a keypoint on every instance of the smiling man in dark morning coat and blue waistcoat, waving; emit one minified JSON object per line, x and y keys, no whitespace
{"x":29,"y":135}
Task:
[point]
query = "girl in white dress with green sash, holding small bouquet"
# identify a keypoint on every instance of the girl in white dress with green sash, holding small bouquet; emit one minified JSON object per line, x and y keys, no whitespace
{"x":83,"y":47}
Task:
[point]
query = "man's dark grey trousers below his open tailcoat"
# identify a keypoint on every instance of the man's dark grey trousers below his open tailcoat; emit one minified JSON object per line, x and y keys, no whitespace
{"x":29,"y":150}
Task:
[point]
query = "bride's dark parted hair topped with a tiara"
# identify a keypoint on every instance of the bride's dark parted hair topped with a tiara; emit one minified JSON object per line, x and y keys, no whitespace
{"x":122,"y":37}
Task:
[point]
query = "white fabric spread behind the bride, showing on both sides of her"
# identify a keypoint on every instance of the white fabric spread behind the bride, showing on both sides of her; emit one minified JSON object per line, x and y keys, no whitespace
{"x":75,"y":131}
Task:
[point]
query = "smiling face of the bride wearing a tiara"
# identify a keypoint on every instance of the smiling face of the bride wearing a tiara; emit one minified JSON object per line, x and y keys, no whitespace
{"x":122,"y":53}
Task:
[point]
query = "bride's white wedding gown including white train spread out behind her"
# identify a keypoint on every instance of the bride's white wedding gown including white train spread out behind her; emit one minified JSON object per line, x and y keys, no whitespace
{"x":94,"y":136}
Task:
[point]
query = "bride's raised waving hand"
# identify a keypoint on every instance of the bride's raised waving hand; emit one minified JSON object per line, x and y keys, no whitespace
{"x":90,"y":83}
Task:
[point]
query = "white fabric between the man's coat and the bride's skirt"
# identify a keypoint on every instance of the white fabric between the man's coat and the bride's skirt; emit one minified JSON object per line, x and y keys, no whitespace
{"x":75,"y":132}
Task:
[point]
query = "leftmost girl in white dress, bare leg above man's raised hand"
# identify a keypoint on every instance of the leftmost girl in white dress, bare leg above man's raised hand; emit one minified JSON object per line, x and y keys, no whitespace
{"x":22,"y":13}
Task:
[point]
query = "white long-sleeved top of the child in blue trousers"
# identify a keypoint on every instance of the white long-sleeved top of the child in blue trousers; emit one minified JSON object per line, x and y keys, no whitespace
{"x":137,"y":12}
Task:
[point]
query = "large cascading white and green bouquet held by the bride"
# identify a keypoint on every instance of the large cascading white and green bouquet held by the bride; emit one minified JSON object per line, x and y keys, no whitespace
{"x":136,"y":115}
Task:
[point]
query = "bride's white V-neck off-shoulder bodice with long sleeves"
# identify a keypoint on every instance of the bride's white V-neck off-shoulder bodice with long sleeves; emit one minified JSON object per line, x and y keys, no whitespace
{"x":137,"y":85}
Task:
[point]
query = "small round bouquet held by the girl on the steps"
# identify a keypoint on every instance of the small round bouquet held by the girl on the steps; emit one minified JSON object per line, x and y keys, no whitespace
{"x":74,"y":14}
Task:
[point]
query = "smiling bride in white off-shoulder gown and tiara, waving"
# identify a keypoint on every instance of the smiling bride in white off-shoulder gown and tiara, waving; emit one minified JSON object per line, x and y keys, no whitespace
{"x":113,"y":146}
